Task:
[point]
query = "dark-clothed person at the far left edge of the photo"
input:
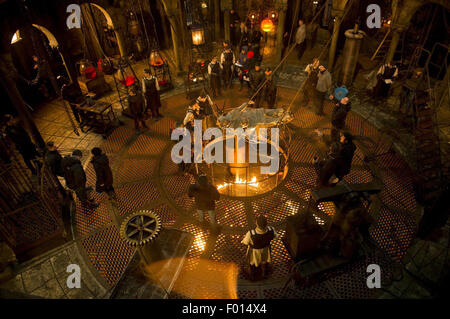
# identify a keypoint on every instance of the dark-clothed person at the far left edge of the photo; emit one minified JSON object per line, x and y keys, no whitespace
{"x":17,"y":134}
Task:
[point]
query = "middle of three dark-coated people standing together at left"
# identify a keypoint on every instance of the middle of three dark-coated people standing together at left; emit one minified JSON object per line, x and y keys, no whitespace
{"x":76,"y":178}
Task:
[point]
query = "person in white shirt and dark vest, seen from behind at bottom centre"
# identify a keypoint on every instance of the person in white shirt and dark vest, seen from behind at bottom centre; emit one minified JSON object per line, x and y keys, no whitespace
{"x":258,"y":252}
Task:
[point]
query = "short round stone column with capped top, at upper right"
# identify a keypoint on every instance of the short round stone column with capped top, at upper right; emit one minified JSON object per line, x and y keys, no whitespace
{"x":352,"y":46}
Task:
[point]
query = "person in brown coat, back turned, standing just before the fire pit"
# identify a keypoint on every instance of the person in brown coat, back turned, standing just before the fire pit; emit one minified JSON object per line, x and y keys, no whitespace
{"x":205,"y":195}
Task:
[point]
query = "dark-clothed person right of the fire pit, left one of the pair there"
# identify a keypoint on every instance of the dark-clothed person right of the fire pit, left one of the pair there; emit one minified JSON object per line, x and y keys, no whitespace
{"x":327,"y":168}
